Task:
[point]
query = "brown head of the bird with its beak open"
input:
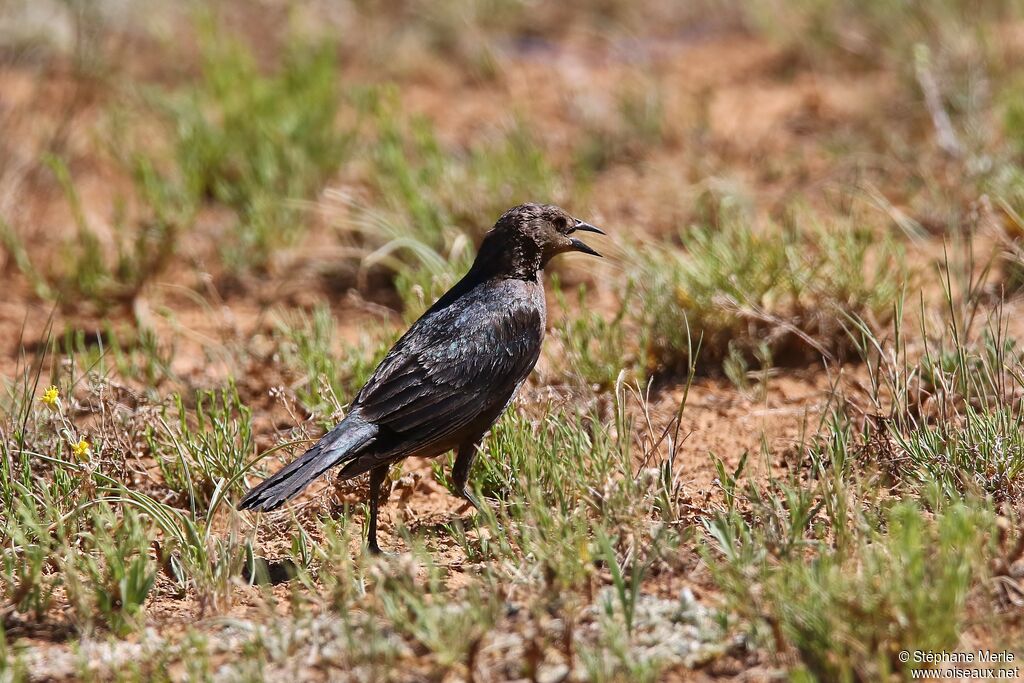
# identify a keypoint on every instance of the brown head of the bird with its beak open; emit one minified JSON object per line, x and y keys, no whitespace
{"x":529,"y":236}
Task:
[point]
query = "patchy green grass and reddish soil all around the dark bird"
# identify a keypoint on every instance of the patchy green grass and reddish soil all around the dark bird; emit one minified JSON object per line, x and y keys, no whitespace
{"x":849,"y":489}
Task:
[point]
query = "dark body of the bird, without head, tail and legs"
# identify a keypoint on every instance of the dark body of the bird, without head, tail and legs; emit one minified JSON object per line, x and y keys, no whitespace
{"x":452,"y":375}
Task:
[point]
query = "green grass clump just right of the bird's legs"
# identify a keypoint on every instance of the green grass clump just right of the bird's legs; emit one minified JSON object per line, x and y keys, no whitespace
{"x":548,"y":509}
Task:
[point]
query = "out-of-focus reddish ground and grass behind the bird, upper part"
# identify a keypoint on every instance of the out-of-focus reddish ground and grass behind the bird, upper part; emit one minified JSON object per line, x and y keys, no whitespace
{"x":159,"y":161}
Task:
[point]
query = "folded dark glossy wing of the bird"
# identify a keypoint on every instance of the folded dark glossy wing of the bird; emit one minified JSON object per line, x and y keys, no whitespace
{"x":451,"y":368}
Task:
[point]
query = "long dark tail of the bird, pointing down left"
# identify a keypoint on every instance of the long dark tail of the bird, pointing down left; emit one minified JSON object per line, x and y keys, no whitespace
{"x":342,"y":444}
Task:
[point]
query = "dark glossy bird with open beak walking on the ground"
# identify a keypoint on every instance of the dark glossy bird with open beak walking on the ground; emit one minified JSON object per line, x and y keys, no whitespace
{"x":452,"y":375}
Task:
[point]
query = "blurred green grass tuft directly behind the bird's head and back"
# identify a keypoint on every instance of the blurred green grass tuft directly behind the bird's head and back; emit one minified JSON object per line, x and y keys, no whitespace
{"x":434,"y":202}
